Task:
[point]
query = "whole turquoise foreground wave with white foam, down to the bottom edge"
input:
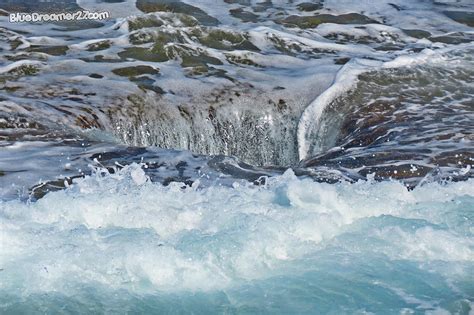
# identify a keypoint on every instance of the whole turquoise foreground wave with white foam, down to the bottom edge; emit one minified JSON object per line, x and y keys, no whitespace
{"x":122,"y":244}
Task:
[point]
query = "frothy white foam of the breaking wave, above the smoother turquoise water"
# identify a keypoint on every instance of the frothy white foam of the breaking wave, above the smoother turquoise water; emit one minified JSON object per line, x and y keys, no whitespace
{"x":123,"y":232}
